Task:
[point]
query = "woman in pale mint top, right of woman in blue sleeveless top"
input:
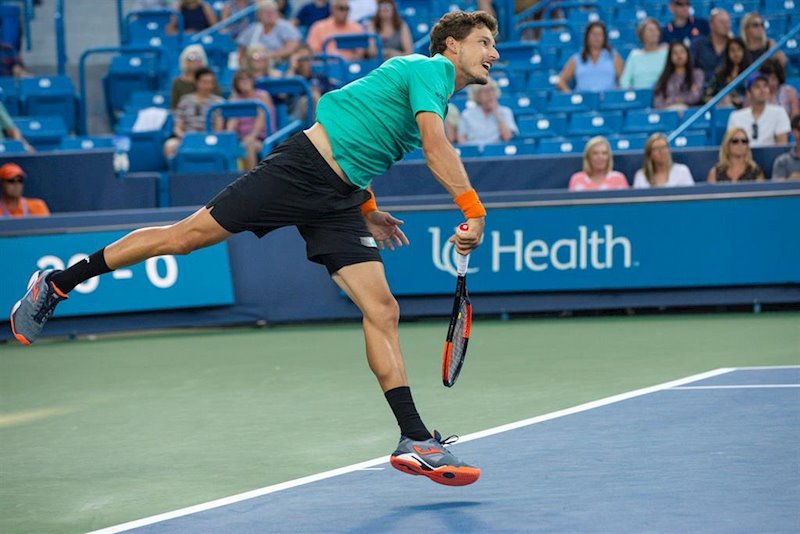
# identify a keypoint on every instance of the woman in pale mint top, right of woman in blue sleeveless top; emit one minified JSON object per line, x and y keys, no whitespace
{"x":644,"y":65}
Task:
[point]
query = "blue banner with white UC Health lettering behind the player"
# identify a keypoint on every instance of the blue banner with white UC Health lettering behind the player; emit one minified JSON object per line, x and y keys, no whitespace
{"x":720,"y":242}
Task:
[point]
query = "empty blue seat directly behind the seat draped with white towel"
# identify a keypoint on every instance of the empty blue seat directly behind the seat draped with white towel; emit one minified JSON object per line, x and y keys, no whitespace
{"x":126,"y":75}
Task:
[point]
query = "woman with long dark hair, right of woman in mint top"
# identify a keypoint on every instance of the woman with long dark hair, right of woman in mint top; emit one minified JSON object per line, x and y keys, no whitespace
{"x":680,"y":85}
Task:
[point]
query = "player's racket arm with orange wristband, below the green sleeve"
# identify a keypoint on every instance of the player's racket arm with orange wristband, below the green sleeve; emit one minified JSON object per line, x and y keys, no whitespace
{"x":448,"y":170}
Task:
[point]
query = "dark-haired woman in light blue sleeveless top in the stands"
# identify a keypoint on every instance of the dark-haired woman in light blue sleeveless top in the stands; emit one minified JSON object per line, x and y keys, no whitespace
{"x":596,"y":67}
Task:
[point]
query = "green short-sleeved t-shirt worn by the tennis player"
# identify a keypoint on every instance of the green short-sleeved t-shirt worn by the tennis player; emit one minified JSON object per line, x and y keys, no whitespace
{"x":372,"y":122}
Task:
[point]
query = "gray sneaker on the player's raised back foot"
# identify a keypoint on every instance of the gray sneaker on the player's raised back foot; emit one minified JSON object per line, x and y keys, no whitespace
{"x":34,"y":309}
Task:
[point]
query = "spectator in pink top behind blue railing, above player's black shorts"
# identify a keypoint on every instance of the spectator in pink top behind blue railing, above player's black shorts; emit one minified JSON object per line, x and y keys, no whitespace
{"x":251,"y":130}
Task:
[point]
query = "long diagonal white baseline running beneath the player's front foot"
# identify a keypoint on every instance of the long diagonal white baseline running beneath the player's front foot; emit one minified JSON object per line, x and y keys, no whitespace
{"x":384,"y":459}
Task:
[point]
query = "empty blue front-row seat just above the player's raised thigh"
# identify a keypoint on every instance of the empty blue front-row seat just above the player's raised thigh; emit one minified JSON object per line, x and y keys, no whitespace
{"x":208,"y":152}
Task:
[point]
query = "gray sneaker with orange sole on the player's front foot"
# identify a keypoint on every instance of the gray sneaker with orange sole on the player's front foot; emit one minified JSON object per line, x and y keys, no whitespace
{"x":431,"y":459}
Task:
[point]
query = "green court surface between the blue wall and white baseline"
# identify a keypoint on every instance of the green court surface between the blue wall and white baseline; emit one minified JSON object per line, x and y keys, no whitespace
{"x":96,"y":433}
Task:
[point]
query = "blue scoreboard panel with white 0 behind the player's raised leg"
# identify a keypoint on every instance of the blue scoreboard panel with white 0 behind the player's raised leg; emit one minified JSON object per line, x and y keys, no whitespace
{"x":202,"y":278}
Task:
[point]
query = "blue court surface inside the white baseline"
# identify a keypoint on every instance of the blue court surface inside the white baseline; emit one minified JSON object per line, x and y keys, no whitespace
{"x":716,"y":452}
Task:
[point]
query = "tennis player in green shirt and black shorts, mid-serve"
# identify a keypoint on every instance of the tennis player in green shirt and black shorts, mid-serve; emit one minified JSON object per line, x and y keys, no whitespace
{"x":319,"y":181}
